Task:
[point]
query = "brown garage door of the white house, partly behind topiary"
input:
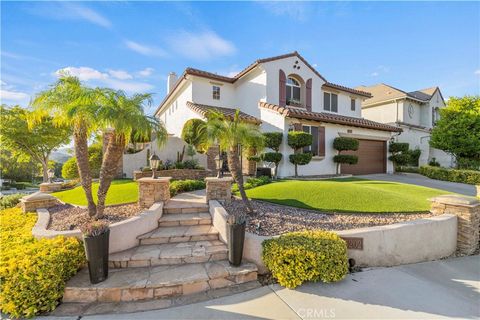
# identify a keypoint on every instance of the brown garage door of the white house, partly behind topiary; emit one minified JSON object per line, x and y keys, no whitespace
{"x":371,"y":158}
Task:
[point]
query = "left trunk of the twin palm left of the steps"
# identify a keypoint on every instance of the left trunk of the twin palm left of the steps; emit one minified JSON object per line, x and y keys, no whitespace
{"x":80,"y":139}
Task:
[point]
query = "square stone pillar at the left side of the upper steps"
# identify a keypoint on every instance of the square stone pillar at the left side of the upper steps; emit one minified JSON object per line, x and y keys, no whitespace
{"x":153,"y":190}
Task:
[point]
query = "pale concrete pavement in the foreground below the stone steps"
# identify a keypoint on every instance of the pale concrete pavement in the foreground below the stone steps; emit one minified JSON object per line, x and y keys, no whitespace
{"x":440,"y":289}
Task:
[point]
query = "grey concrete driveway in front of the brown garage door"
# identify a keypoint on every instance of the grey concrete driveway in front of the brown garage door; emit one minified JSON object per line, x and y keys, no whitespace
{"x":419,"y":180}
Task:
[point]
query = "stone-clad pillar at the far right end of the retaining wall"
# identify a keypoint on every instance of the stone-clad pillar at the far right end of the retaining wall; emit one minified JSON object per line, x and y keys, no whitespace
{"x":467,"y":210}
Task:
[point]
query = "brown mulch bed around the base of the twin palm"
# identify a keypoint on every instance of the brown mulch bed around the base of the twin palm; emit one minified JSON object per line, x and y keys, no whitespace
{"x":68,"y":217}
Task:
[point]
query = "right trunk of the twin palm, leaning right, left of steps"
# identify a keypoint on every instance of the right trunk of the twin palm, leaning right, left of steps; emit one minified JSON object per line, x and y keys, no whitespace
{"x":115,"y":144}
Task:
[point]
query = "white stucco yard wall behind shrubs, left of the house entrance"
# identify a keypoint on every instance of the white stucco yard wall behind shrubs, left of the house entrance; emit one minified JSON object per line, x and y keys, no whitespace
{"x":132,"y":162}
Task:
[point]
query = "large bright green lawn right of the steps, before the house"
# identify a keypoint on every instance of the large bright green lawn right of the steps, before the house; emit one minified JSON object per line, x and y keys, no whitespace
{"x":347,"y":195}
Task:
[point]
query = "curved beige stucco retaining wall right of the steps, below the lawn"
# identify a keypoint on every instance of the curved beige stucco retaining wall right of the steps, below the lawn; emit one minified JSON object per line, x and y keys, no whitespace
{"x":384,"y":246}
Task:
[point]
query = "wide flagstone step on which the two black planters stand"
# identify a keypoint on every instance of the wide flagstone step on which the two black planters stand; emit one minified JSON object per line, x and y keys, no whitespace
{"x":136,"y":284}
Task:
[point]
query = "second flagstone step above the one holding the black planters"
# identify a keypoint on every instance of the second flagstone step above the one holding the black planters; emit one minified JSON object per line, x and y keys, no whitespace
{"x":179,"y":234}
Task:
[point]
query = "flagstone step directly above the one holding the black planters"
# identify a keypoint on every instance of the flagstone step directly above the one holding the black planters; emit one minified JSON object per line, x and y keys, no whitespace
{"x":169,"y":254}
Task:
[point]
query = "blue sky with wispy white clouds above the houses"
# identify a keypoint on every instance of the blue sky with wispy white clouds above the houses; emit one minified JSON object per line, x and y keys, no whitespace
{"x":134,"y":45}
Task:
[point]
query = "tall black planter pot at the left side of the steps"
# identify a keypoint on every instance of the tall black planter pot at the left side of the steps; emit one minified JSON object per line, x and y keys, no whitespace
{"x":96,"y":250}
